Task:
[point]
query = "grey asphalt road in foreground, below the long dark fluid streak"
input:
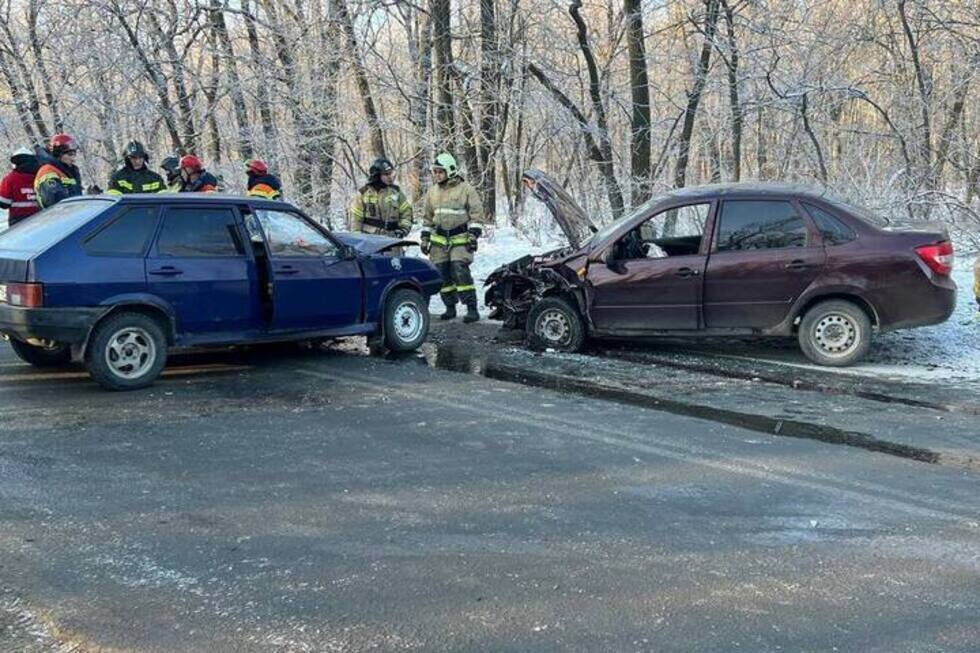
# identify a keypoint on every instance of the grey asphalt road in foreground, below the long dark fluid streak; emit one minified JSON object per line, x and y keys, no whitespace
{"x":328,"y":501}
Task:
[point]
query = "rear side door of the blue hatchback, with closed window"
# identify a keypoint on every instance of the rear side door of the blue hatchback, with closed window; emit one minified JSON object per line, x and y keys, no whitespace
{"x":198,"y":265}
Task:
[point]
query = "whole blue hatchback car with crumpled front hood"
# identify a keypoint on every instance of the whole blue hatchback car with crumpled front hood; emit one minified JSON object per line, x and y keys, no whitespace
{"x":116,"y":282}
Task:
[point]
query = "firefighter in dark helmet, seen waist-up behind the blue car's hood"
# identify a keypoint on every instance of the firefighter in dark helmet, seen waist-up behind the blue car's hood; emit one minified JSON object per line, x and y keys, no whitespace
{"x":380,"y":206}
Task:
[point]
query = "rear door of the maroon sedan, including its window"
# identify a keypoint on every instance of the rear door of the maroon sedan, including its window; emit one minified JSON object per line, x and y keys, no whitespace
{"x":765,"y":254}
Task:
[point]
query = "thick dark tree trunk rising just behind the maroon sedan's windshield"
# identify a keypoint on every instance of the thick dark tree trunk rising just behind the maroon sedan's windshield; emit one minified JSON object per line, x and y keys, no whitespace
{"x":640,"y":86}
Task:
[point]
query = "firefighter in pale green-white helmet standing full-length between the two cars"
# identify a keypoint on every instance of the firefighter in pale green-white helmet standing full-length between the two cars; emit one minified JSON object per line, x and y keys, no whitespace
{"x":450,"y":231}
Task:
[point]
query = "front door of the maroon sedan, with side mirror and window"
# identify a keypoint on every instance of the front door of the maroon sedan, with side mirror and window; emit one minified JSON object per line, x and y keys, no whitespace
{"x":652,"y":277}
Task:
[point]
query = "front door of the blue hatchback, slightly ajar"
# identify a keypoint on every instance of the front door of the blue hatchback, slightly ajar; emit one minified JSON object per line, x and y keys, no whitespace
{"x":314,"y":288}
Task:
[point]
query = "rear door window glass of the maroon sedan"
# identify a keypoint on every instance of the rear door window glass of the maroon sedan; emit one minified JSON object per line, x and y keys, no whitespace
{"x":759,"y":224}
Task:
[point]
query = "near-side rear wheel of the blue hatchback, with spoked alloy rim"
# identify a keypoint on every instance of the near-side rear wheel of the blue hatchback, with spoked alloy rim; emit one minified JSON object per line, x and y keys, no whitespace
{"x":127,"y":351}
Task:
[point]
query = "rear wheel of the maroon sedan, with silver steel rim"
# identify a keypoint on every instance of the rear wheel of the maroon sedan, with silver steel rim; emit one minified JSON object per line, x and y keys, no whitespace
{"x":835,"y":333}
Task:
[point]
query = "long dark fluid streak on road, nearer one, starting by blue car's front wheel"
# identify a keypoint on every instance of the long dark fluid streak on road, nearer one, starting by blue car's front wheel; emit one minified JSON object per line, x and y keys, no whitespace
{"x":467,"y":360}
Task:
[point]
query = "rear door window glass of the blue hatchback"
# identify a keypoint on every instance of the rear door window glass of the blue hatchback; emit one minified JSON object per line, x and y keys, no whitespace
{"x":199,"y":232}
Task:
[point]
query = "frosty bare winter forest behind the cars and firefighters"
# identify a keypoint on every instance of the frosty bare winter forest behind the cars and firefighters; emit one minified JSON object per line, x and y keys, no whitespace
{"x":874,"y":99}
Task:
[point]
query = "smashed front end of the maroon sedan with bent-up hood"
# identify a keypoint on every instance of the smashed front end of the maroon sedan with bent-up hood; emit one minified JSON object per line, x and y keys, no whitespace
{"x":514,"y":288}
